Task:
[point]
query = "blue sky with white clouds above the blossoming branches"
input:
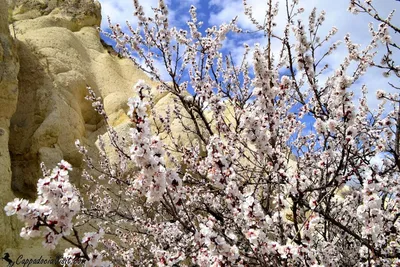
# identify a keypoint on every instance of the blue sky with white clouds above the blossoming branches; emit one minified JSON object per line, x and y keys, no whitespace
{"x":214,"y":12}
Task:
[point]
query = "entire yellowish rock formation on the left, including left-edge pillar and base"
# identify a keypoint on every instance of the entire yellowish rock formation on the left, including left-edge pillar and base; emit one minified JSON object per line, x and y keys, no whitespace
{"x":52,"y":54}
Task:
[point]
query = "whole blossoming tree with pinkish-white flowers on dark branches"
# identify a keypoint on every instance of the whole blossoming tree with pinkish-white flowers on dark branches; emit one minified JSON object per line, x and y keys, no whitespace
{"x":253,"y":188}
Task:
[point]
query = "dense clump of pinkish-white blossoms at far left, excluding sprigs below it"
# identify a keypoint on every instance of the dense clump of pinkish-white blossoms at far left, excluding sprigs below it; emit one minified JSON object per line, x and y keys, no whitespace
{"x":56,"y":206}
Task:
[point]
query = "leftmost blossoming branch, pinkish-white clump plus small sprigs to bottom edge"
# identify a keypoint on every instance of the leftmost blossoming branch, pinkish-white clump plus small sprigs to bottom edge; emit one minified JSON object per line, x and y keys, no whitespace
{"x":51,"y":216}
